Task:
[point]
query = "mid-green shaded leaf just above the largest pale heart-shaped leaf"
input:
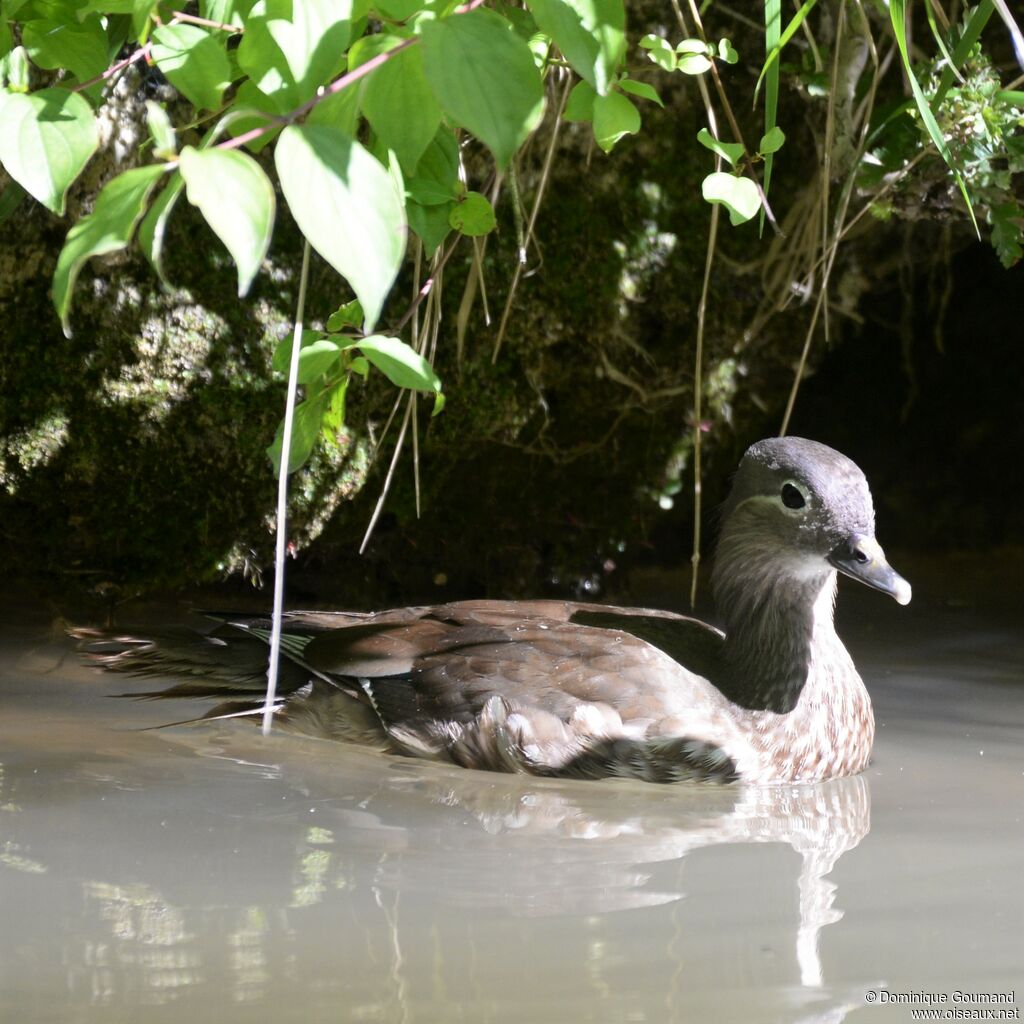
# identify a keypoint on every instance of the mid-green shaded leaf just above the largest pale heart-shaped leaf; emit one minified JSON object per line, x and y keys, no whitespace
{"x":397,"y":100}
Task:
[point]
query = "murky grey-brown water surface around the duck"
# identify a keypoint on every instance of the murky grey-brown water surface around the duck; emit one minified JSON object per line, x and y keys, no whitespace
{"x":200,"y":875}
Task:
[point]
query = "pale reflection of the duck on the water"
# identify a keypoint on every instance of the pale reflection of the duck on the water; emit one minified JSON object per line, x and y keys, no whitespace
{"x":548,"y":848}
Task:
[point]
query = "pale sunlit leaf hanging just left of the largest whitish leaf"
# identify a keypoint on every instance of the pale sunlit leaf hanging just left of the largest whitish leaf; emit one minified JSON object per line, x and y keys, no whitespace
{"x":237,"y":200}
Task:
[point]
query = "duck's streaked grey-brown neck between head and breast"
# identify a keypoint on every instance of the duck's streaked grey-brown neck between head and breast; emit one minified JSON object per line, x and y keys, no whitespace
{"x":776,"y":619}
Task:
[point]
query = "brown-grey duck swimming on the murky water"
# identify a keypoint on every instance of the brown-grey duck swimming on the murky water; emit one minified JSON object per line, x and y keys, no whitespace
{"x":562,"y":689}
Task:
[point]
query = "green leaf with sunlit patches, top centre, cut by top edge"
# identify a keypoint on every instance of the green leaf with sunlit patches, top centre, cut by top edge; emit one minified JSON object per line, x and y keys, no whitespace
{"x":591,"y":34}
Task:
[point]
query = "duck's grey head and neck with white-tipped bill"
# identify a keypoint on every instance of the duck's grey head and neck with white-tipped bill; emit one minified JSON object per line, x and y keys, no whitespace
{"x":799,"y":514}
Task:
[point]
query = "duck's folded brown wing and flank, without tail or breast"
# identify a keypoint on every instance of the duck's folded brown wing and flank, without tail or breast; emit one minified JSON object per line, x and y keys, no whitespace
{"x":532,"y":688}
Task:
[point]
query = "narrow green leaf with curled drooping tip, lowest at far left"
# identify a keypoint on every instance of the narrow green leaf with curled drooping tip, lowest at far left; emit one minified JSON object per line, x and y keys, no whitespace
{"x":107,"y":230}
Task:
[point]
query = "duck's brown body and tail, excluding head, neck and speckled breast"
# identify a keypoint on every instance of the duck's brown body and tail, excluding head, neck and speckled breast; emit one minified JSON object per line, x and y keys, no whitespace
{"x":547,"y":688}
